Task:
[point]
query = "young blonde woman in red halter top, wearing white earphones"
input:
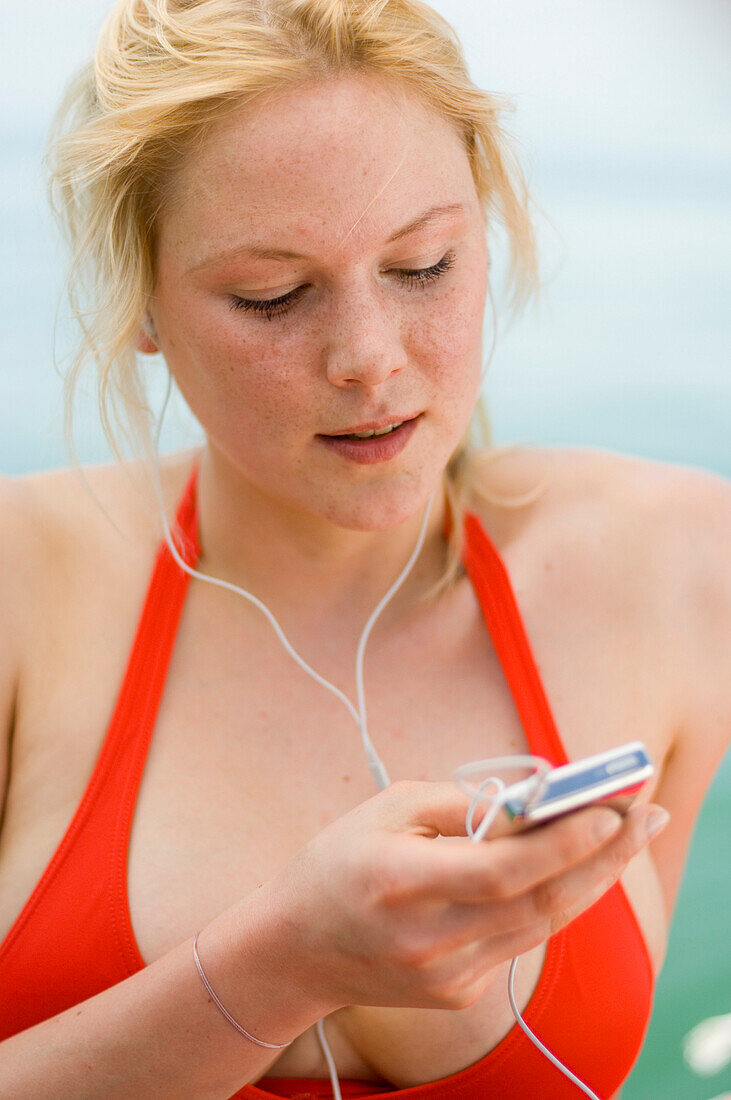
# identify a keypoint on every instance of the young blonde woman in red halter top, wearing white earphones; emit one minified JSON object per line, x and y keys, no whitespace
{"x":292,"y":202}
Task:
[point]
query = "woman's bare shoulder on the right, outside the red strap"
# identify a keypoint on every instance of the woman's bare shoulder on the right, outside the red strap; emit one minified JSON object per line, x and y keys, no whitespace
{"x":672,"y":523}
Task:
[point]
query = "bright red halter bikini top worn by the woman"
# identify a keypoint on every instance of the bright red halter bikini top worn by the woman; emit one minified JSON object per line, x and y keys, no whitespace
{"x":74,"y":937}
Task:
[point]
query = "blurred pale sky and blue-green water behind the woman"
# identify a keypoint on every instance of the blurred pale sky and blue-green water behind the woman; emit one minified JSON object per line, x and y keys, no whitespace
{"x":624,"y":120}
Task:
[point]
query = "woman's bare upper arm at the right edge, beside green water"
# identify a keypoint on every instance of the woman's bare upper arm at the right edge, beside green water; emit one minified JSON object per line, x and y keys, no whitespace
{"x":692,"y":531}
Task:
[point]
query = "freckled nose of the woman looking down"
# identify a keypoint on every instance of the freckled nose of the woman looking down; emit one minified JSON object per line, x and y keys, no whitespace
{"x":365,"y":346}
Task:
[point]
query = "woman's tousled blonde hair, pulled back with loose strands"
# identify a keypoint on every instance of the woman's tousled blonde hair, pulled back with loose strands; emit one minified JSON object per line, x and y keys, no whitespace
{"x":163,"y":72}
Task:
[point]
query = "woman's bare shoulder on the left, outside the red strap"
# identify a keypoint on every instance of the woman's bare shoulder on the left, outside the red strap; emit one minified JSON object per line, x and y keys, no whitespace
{"x":75,"y":554}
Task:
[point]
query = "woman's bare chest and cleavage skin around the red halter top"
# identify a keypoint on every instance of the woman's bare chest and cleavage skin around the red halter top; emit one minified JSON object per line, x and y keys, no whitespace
{"x":250,"y":758}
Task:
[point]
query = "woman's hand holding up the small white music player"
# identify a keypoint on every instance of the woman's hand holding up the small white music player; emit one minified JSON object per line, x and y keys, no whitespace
{"x":393,"y":905}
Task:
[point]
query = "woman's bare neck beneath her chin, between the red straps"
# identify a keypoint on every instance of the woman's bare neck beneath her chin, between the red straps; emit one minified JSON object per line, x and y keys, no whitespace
{"x":303,"y":566}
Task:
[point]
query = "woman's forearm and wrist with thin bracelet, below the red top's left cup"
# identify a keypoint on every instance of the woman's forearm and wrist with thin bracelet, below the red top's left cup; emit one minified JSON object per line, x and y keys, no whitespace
{"x":158,"y":1035}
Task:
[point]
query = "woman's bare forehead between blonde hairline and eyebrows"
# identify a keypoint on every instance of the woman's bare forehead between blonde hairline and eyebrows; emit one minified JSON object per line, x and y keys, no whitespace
{"x":322,"y":157}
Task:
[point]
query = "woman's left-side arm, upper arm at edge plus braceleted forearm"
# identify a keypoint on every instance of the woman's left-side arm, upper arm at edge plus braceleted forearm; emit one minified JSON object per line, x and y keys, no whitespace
{"x":158,"y":1033}
